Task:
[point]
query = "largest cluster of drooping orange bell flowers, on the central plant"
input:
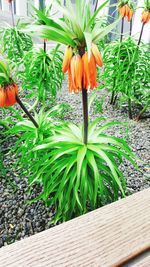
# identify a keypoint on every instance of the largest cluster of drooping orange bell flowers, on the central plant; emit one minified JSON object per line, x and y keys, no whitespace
{"x":81,"y":70}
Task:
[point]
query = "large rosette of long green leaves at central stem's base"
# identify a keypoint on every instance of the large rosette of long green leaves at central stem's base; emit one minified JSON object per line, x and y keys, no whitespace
{"x":76,"y":177}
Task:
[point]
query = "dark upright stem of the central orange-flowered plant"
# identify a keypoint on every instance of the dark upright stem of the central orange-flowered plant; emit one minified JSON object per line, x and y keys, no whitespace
{"x":84,"y":104}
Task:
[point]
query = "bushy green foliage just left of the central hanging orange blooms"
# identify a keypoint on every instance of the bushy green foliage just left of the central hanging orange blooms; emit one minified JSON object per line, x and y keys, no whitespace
{"x":45,"y":69}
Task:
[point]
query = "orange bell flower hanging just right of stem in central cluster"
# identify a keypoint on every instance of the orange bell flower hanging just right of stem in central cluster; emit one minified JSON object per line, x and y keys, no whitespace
{"x":89,"y":71}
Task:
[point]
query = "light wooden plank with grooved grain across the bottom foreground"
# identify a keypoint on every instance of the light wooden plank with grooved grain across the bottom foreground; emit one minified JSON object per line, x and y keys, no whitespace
{"x":105,"y":237}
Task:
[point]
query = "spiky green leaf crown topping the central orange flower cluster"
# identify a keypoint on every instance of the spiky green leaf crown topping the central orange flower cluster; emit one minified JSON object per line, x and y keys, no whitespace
{"x":76,"y":27}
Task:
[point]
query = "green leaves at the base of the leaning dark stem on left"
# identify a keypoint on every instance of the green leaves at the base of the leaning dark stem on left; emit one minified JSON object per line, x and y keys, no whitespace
{"x":29,"y":136}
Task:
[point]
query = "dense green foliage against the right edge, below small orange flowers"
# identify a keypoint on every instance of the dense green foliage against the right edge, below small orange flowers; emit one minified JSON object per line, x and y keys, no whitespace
{"x":127,"y":70}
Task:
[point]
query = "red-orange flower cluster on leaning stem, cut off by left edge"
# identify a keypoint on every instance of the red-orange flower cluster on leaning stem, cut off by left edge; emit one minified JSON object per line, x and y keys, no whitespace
{"x":8,"y":95}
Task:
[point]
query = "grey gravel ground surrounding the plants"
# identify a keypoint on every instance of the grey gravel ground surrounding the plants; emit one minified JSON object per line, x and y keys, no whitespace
{"x":19,"y":219}
